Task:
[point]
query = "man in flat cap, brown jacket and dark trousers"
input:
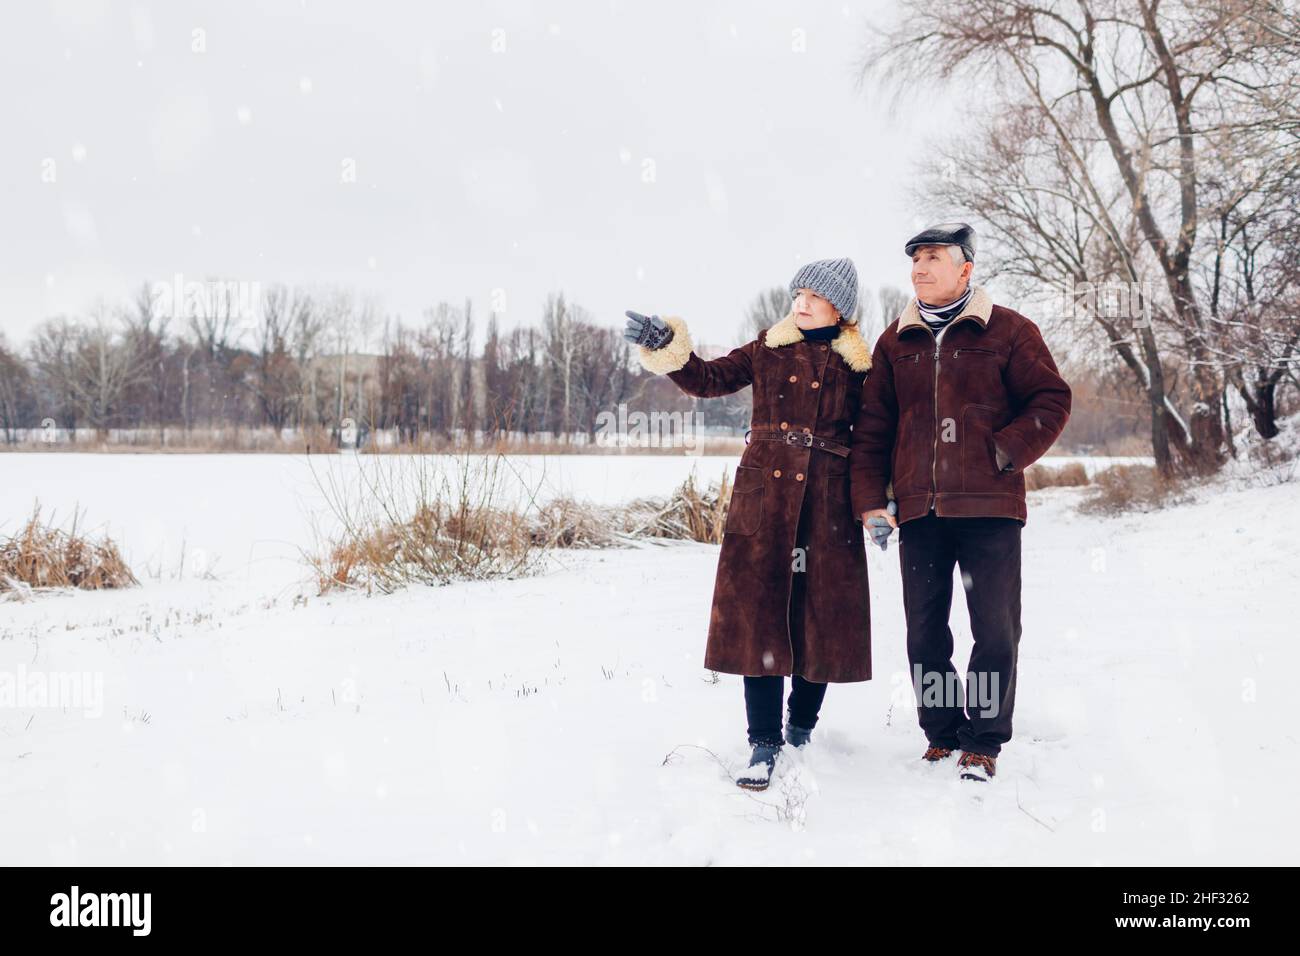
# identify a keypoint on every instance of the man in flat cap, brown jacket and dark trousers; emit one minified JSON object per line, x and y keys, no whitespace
{"x":961,"y":399}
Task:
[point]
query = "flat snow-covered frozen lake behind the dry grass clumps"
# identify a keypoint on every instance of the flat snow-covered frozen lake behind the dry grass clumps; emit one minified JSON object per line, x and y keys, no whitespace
{"x":248,"y":516}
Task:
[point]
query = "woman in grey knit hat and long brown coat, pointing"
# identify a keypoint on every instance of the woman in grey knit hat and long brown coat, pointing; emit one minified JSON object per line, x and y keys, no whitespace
{"x":791,"y":595}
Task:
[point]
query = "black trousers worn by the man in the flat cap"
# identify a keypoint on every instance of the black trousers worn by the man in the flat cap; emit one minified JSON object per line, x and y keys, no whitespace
{"x":976,"y":717}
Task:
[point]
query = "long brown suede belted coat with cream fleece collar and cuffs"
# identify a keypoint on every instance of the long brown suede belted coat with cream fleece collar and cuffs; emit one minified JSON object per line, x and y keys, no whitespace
{"x":801,"y":388}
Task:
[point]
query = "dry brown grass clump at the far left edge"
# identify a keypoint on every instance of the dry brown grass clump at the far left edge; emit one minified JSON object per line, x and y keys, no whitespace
{"x":44,"y":556}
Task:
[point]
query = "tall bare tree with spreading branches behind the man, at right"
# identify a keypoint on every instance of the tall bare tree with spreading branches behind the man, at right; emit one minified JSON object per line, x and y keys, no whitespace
{"x":1093,"y":172}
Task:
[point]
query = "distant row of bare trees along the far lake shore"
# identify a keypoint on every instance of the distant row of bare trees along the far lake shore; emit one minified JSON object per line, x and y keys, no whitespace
{"x":310,"y":362}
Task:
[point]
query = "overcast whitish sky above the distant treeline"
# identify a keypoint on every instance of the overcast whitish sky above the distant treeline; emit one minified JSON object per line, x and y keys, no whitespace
{"x":497,"y":146}
